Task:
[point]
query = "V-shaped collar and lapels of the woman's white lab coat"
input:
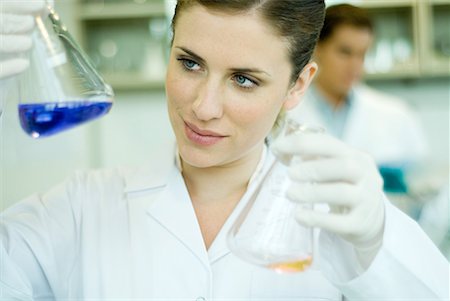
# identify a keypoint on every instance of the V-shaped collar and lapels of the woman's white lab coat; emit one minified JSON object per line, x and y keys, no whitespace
{"x":173,"y":209}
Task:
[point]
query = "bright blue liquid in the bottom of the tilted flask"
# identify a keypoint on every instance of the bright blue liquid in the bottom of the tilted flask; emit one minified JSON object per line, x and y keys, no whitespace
{"x":46,"y":119}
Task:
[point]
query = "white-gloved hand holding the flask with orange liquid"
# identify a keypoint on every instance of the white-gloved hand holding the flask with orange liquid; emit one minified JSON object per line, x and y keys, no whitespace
{"x":333,"y":173}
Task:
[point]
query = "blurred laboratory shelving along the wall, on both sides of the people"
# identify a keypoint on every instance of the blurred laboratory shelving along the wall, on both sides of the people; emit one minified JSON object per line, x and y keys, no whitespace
{"x":128,"y":40}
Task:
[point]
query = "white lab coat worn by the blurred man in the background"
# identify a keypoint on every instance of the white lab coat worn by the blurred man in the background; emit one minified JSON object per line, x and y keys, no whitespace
{"x":377,"y":123}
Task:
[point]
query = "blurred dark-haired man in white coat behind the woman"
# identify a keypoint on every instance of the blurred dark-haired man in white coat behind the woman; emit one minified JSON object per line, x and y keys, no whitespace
{"x":379,"y":124}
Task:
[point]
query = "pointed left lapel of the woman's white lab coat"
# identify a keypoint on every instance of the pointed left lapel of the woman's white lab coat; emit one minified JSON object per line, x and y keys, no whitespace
{"x":173,"y":210}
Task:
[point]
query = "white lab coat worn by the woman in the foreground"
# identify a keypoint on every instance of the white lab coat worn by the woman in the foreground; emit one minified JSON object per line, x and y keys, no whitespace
{"x":120,"y":234}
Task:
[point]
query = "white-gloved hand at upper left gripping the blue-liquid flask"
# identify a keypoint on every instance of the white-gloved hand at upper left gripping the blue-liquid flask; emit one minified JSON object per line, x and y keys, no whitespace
{"x":16,"y":25}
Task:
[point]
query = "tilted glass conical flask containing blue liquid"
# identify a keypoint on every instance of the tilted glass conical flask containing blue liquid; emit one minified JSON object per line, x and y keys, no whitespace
{"x":61,"y":89}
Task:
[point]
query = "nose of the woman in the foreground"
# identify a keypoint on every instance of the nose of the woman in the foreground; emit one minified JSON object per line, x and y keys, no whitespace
{"x":209,"y":102}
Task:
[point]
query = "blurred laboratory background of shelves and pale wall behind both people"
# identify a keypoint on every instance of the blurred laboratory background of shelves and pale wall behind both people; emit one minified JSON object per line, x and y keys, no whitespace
{"x":127,"y":41}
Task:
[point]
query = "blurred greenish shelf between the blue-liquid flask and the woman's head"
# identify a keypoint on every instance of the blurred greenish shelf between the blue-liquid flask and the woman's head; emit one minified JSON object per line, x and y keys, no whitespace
{"x":127,"y":41}
